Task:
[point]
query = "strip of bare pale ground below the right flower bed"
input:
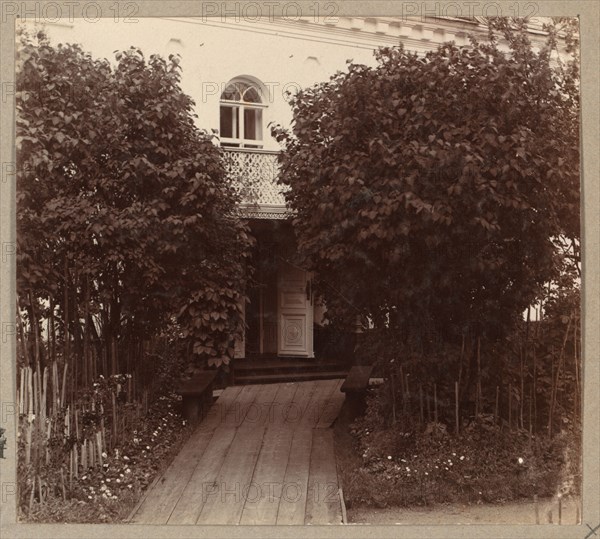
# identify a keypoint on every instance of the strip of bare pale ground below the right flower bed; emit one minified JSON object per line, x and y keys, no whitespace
{"x":450,"y":514}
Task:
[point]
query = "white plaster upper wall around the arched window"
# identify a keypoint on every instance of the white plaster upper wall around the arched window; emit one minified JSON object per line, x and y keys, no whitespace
{"x":213,"y":53}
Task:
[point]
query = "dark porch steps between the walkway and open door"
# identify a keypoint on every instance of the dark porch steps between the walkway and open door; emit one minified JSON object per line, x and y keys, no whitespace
{"x":281,"y":370}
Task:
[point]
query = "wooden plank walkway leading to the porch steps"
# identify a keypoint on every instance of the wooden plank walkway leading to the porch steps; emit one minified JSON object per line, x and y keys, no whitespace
{"x":263,"y":455}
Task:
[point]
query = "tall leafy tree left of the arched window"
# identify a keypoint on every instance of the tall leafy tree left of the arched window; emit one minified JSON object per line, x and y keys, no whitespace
{"x":125,"y":214}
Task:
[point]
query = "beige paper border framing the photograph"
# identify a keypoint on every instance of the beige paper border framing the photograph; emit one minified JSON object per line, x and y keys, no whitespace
{"x":589,"y":12}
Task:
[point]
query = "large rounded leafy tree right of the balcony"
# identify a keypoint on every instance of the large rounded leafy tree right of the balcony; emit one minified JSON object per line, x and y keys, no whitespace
{"x":431,"y":191}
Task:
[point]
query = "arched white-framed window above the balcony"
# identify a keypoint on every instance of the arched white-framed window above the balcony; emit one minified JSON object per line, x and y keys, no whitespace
{"x":241,"y":123}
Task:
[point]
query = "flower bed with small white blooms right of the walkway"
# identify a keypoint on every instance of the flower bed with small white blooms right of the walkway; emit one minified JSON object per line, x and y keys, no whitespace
{"x":384,"y":466}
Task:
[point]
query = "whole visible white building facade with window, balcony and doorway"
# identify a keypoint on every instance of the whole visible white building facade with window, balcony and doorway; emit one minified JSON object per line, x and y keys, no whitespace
{"x":239,"y":73}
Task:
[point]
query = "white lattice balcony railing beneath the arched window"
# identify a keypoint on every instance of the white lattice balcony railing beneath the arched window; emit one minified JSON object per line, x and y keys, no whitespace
{"x":254,"y":173}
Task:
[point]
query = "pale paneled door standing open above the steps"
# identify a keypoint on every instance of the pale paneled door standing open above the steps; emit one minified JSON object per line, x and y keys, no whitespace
{"x":295,"y":312}
